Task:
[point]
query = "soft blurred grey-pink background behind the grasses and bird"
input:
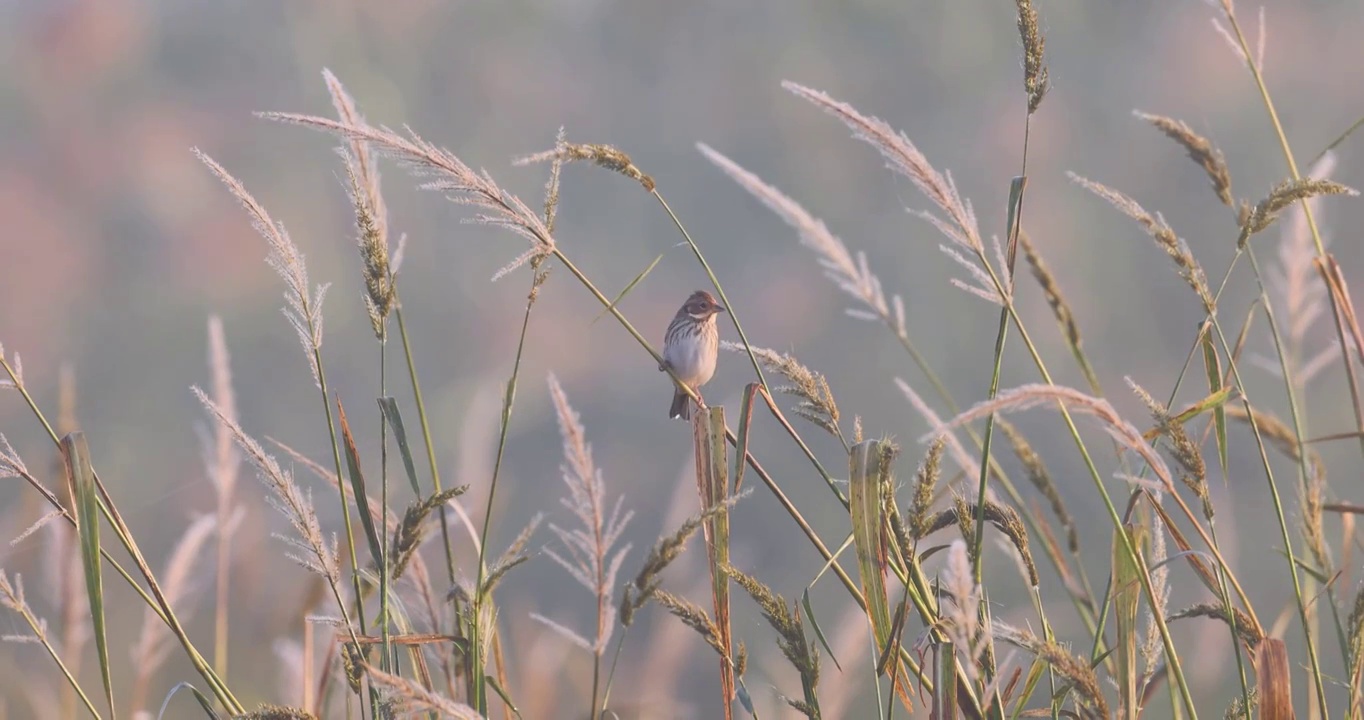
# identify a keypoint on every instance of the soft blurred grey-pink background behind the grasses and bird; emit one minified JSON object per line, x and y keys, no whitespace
{"x":118,"y":246}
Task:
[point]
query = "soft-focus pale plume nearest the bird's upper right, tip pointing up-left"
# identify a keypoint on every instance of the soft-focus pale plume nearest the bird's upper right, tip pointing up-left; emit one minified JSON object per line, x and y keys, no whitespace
{"x":850,"y":273}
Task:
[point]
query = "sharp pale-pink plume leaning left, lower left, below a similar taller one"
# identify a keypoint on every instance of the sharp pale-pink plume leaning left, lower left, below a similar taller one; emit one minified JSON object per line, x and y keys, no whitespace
{"x":312,"y":549}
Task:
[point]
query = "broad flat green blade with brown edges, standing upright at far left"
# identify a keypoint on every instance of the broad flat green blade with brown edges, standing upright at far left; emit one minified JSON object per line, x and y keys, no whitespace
{"x":76,"y":453}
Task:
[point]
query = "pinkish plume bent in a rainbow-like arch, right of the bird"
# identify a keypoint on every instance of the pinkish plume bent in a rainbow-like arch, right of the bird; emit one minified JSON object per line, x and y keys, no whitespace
{"x":1047,"y":396}
